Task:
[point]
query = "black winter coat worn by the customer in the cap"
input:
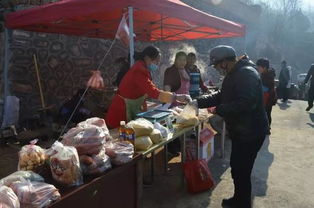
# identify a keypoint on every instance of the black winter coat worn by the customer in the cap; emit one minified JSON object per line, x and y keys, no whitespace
{"x":240,"y":103}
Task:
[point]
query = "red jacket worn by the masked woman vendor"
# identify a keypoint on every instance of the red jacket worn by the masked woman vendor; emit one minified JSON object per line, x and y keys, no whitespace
{"x":136,"y":83}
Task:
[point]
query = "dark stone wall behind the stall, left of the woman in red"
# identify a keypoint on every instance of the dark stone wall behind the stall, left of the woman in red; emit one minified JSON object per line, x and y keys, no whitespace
{"x":64,"y":63}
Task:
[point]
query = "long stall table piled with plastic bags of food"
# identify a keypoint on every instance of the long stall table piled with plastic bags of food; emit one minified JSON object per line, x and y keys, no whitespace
{"x":73,"y":182}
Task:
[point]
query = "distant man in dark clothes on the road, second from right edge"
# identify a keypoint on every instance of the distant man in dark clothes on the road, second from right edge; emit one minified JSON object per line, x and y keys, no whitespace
{"x":284,"y":78}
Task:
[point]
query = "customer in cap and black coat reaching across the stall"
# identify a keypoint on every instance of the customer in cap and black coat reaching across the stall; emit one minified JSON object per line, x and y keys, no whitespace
{"x":240,"y":103}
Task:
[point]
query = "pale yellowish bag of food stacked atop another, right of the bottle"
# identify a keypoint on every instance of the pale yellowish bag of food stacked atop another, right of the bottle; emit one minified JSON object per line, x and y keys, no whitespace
{"x":141,"y":126}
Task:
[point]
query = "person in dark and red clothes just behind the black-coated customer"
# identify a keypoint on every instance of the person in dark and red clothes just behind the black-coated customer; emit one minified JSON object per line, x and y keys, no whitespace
{"x":268,"y":81}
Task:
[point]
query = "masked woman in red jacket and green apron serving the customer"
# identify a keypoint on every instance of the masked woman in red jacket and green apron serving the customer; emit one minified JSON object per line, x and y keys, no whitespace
{"x":136,"y":86}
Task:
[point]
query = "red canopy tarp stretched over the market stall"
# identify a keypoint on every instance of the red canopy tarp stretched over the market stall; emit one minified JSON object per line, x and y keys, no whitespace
{"x":154,"y":20}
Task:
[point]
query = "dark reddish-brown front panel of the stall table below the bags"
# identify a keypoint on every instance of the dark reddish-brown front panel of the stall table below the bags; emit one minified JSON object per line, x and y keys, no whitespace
{"x":120,"y":187}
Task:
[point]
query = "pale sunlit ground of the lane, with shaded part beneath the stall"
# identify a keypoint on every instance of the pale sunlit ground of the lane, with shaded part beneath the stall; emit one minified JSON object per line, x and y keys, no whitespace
{"x":282,"y":175}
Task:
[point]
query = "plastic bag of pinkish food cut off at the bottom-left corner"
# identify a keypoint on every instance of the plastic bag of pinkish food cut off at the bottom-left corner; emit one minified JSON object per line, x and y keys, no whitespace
{"x":8,"y":198}
